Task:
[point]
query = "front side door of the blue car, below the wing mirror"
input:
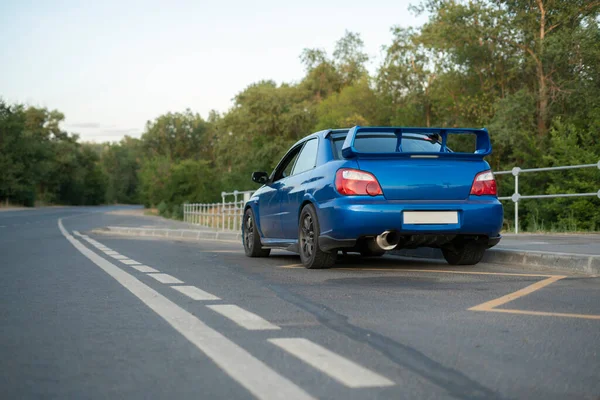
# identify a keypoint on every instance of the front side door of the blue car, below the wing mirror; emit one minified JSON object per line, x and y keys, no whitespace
{"x":269,"y":207}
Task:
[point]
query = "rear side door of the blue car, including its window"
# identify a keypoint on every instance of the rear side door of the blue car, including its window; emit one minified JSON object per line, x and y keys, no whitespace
{"x":294,"y":187}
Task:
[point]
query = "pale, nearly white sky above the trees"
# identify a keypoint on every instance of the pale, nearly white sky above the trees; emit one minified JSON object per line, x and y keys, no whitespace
{"x":110,"y":66}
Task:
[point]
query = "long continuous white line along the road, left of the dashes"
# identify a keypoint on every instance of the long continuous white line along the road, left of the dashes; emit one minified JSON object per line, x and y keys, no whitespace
{"x":253,"y":374}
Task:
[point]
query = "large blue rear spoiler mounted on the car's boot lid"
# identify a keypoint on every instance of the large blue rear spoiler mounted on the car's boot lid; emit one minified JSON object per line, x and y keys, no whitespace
{"x":483,"y":144}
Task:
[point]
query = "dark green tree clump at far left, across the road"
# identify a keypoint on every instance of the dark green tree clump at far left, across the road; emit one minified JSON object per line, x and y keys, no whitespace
{"x":41,"y":163}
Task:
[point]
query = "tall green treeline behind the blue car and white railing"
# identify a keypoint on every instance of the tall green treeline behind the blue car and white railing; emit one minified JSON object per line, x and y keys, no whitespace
{"x":527,"y":70}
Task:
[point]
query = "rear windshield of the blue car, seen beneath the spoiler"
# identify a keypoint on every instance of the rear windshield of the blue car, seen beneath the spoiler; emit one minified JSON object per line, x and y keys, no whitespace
{"x":385,"y":142}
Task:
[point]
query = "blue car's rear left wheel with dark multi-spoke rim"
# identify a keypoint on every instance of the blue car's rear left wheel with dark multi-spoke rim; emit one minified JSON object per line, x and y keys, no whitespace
{"x":311,"y":255}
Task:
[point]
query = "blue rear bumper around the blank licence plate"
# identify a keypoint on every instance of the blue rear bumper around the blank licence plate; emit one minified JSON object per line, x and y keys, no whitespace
{"x":343,"y":220}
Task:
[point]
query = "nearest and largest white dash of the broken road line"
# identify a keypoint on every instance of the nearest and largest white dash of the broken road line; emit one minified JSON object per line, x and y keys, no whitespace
{"x":339,"y":368}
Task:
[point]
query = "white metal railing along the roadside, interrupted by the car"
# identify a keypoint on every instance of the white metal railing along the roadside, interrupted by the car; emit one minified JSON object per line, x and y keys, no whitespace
{"x":227,"y":215}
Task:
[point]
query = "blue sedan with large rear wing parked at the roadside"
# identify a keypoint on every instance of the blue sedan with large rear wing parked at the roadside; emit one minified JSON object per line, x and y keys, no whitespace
{"x":374,"y":189}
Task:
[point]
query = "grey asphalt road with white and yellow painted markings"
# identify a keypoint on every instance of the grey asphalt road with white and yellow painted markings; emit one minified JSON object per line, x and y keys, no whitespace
{"x":92,"y":316}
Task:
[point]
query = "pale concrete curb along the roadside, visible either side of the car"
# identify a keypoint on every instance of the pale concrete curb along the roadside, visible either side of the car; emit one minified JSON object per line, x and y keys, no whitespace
{"x":589,"y":264}
